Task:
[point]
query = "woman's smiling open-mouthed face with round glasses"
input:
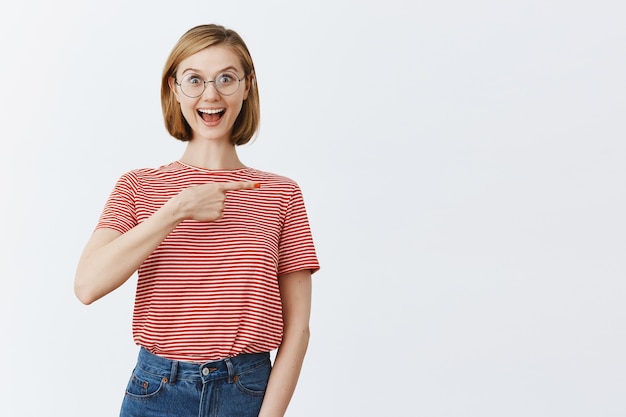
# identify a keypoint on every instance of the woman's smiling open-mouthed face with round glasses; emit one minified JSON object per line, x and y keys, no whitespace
{"x":211,"y":115}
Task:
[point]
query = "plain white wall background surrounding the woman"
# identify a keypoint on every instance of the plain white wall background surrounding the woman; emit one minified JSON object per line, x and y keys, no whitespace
{"x":463,"y":167}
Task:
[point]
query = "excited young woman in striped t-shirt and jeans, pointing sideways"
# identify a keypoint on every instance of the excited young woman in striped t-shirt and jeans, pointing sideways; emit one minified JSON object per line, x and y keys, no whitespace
{"x":224,"y":252}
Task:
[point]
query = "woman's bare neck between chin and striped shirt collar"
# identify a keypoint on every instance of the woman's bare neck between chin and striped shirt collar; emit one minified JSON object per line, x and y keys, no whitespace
{"x":211,"y":155}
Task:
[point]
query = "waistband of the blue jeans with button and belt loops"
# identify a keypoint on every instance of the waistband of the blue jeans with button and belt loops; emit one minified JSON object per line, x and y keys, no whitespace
{"x":177,"y":370}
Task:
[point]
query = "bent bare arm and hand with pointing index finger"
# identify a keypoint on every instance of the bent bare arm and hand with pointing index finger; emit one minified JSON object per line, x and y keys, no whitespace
{"x":110,"y":258}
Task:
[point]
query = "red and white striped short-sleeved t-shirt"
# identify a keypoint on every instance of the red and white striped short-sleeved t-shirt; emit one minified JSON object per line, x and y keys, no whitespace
{"x":210,"y":289}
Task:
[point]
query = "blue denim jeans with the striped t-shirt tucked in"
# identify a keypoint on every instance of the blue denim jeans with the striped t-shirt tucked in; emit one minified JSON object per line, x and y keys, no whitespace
{"x":232,"y":387}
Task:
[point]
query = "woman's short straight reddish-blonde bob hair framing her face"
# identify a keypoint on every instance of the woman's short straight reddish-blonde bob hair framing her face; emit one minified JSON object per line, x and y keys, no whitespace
{"x":195,"y":40}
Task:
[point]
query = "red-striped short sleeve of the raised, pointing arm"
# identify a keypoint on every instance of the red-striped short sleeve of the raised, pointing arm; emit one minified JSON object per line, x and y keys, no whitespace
{"x":119,"y":211}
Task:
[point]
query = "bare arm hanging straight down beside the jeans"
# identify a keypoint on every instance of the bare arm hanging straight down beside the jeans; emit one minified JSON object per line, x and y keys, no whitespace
{"x":295,"y":291}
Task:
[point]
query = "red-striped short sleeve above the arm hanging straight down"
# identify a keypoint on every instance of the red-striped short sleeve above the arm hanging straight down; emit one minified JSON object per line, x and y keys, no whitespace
{"x":296,"y":250}
